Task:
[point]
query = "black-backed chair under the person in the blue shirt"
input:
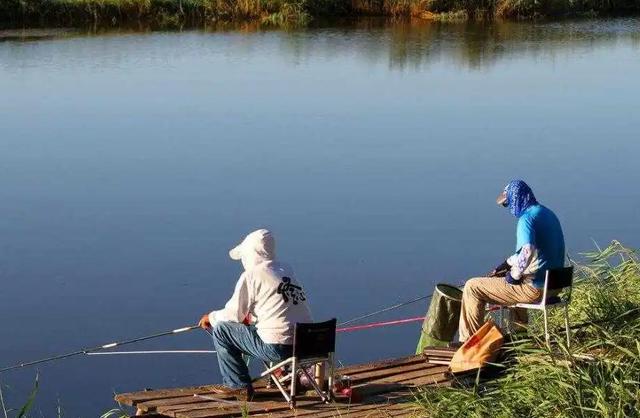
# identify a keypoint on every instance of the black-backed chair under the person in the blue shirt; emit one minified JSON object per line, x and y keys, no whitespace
{"x":555,"y":281}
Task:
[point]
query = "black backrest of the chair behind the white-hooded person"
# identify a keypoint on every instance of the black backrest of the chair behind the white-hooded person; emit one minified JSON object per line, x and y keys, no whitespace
{"x":316,"y":339}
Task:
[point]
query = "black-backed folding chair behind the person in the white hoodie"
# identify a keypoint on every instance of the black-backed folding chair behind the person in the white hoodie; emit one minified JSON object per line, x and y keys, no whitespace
{"x":312,"y":343}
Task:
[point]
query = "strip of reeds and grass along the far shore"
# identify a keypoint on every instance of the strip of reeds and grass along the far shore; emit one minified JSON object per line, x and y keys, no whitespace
{"x":283,"y":12}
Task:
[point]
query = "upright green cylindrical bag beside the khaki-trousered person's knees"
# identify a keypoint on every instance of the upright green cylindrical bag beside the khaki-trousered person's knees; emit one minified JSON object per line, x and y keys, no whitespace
{"x":441,"y":323}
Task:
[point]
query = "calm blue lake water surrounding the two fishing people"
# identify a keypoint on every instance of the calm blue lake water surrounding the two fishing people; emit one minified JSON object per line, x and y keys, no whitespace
{"x":131,"y":162}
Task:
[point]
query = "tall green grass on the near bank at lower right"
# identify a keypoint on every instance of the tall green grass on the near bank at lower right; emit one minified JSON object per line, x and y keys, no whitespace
{"x":598,"y":376}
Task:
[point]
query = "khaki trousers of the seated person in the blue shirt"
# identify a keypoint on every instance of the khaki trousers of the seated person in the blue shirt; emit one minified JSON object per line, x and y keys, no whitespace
{"x":495,"y":290}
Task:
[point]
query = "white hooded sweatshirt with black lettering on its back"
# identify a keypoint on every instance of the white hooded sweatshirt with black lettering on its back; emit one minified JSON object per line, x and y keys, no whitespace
{"x":267,"y":291}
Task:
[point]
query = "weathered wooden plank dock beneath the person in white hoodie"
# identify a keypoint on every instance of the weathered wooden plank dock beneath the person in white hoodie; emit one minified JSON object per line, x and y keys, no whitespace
{"x":379,"y":389}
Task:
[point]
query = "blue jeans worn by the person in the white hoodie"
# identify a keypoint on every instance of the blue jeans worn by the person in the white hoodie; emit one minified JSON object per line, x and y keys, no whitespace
{"x":232,"y":340}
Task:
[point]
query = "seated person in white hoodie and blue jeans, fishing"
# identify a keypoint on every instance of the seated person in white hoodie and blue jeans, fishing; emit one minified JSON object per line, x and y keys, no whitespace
{"x":268,"y":296}
